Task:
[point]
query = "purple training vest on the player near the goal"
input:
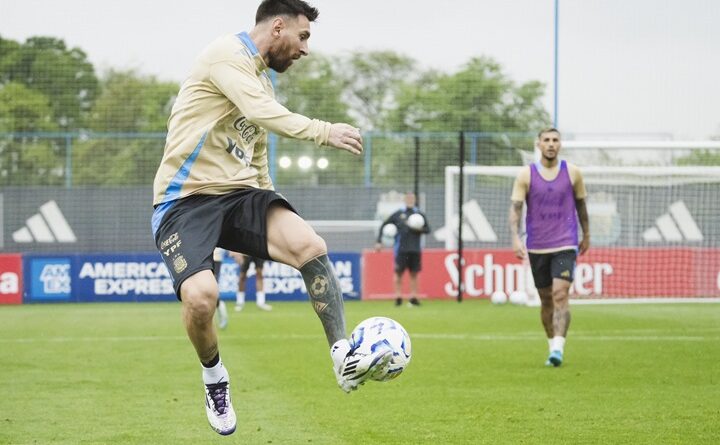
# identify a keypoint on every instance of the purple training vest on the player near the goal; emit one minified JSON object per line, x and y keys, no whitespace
{"x":551,"y":219}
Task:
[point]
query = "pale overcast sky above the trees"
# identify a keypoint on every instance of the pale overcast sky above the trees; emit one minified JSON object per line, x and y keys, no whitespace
{"x":634,"y":67}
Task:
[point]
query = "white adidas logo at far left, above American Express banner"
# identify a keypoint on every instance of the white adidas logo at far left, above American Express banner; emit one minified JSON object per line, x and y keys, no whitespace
{"x":48,"y":226}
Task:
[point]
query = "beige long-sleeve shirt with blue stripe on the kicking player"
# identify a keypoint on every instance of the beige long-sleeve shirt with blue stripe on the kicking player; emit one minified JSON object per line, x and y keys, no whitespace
{"x":217,"y":131}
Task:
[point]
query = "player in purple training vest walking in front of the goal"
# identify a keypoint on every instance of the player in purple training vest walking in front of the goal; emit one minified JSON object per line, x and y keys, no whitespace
{"x":555,"y":195}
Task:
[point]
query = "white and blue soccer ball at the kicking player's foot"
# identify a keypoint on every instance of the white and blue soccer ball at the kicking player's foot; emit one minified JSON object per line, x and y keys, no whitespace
{"x":383,"y":332}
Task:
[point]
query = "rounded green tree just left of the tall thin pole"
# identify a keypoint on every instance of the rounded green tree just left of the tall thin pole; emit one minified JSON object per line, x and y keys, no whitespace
{"x":479,"y":98}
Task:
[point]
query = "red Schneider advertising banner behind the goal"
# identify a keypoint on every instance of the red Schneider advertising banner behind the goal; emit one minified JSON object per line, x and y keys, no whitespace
{"x":602,"y":272}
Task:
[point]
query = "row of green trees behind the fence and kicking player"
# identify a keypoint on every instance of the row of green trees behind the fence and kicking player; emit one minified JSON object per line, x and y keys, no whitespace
{"x":116,"y":122}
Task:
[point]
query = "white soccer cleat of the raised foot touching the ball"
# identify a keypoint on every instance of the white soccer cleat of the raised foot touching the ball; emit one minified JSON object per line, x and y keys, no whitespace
{"x":353,"y":369}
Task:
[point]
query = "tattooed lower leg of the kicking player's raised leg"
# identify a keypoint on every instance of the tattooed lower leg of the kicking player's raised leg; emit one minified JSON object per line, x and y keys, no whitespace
{"x":325,"y":295}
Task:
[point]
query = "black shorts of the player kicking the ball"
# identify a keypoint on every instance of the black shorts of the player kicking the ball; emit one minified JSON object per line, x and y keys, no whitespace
{"x":192,"y":228}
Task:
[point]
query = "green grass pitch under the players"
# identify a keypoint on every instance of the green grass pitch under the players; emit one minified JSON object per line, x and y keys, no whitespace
{"x":126,"y":374}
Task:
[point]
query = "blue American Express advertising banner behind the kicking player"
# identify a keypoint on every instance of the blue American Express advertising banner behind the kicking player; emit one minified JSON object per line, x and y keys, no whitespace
{"x":144,"y":277}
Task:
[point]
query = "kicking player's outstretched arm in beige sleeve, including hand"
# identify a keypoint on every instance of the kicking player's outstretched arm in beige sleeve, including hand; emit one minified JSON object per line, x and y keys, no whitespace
{"x":237,"y":80}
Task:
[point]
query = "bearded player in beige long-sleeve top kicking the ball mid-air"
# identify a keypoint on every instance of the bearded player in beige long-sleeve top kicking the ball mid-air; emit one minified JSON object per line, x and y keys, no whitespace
{"x":213,"y":189}
